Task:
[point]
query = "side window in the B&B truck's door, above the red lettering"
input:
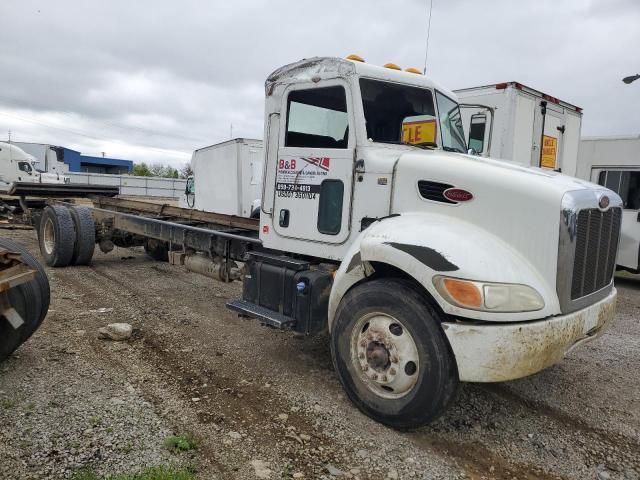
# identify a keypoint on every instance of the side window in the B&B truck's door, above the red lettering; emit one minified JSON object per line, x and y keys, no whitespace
{"x":317,"y":118}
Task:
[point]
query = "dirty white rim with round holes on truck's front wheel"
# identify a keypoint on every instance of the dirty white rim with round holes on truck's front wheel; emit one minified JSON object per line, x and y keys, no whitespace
{"x":384,"y":355}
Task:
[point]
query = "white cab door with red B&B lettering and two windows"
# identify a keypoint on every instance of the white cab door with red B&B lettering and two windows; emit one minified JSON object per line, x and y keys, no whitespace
{"x":315,"y":164}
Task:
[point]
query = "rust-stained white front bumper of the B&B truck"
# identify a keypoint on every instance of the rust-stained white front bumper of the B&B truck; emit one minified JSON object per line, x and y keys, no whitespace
{"x":500,"y":352}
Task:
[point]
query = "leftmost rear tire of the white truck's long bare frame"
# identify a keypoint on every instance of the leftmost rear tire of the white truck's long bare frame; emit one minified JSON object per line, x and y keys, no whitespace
{"x":56,"y":235}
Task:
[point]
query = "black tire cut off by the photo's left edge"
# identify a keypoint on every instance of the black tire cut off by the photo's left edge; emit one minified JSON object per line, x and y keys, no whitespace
{"x":30,"y":300}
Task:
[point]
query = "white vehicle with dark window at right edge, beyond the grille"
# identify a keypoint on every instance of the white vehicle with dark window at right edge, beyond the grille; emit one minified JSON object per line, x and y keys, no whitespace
{"x":614,"y":162}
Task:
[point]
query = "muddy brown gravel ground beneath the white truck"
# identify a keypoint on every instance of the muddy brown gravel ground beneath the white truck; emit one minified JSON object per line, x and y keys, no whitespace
{"x":264,"y":403}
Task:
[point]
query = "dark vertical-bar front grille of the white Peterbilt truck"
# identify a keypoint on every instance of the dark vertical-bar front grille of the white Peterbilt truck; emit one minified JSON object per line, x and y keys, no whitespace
{"x":596,"y":240}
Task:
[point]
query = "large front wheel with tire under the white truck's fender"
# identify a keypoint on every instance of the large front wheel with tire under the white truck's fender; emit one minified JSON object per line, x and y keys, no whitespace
{"x":391,"y":354}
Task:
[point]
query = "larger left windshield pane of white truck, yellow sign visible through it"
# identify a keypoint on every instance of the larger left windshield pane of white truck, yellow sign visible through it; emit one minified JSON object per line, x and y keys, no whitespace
{"x":396,"y":113}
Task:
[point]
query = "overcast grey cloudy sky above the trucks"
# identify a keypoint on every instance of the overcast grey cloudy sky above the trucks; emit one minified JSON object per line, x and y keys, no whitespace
{"x":153,"y":80}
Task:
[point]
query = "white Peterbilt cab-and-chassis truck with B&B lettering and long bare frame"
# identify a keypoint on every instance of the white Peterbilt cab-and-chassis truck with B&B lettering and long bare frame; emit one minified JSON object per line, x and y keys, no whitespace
{"x":427,"y":266}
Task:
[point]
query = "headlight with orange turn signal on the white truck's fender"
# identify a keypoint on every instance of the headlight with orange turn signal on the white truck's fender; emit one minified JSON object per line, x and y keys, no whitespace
{"x":487,"y":296}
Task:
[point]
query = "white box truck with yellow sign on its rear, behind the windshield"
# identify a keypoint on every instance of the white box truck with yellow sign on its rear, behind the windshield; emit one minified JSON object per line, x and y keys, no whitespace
{"x":514,"y":122}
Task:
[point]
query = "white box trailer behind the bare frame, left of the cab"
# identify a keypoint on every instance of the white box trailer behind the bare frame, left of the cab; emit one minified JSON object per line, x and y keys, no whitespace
{"x":227,"y":178}
